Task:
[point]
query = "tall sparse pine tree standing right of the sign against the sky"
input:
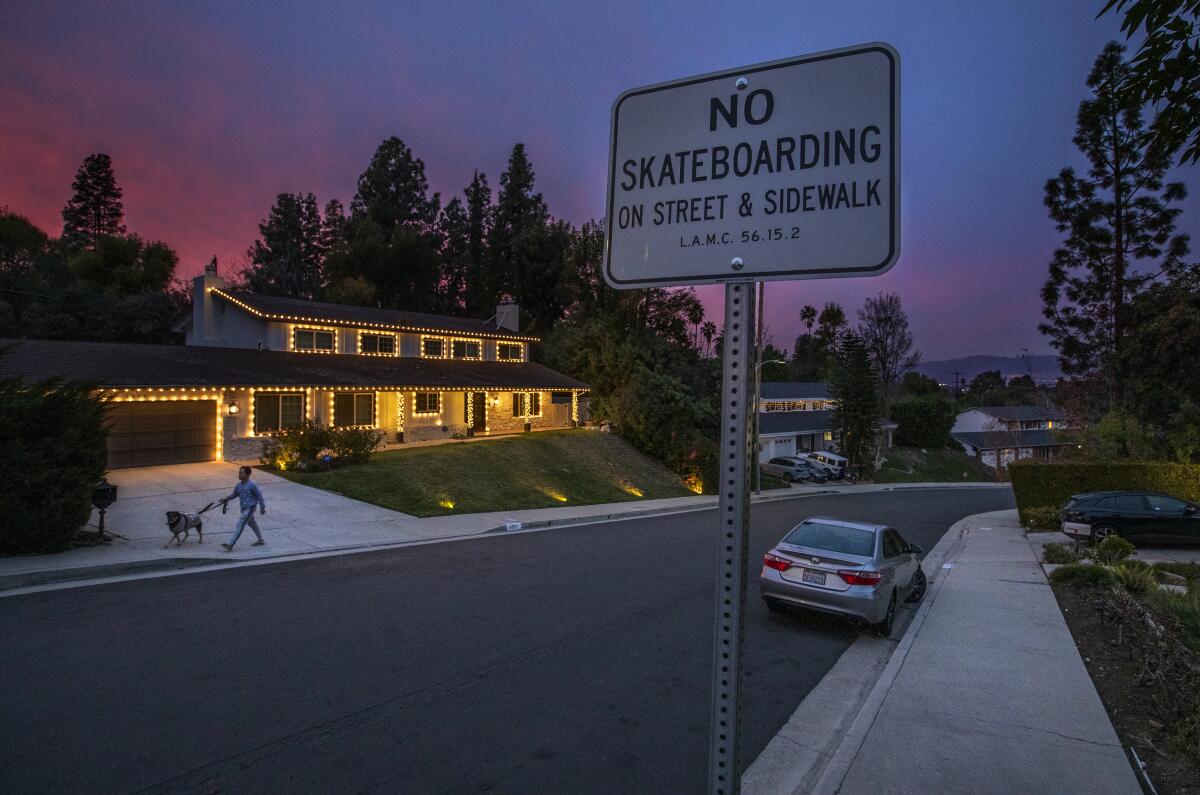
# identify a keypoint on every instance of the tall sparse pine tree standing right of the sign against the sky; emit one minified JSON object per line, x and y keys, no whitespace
{"x":1114,"y":218}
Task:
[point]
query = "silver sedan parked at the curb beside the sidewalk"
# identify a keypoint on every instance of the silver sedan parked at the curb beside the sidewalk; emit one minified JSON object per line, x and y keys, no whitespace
{"x":844,"y":567}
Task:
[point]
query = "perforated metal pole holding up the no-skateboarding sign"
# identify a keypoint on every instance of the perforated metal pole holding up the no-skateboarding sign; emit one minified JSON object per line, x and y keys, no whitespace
{"x":737,"y":408}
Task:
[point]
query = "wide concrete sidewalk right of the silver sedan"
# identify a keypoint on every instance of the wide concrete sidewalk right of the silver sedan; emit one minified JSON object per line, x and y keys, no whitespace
{"x":985,"y":694}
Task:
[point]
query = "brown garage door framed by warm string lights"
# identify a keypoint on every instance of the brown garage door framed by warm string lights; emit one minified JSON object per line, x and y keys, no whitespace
{"x":154,"y":433}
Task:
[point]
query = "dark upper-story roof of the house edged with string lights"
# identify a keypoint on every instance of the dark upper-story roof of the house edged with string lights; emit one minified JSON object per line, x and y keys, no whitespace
{"x":275,"y":308}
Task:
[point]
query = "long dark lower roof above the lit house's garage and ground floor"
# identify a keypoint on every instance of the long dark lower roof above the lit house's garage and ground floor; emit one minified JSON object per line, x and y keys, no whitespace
{"x":124,"y":366}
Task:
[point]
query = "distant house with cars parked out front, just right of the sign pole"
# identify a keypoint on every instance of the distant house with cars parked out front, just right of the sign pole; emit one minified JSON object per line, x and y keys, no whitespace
{"x":799,"y":417}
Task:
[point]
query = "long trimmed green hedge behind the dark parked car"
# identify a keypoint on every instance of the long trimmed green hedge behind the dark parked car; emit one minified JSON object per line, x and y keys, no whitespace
{"x":1049,"y":486}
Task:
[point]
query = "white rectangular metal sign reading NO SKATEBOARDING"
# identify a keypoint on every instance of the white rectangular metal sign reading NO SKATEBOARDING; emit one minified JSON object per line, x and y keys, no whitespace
{"x":787,"y":170}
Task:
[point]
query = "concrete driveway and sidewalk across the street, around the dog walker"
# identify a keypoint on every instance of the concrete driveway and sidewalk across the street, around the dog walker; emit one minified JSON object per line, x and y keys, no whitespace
{"x":303,"y":521}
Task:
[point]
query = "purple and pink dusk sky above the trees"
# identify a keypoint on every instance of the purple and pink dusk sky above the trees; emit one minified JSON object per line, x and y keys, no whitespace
{"x":211,"y":110}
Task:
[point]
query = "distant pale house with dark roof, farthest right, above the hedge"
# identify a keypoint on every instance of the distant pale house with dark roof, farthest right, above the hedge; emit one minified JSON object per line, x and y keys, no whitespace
{"x":999,"y":435}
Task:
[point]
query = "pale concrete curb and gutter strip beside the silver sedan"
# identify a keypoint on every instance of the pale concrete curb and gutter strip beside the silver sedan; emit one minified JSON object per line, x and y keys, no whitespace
{"x":815,"y":749}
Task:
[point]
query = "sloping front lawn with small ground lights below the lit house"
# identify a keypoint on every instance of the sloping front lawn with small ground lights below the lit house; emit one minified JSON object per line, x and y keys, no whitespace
{"x":543,"y":470}
